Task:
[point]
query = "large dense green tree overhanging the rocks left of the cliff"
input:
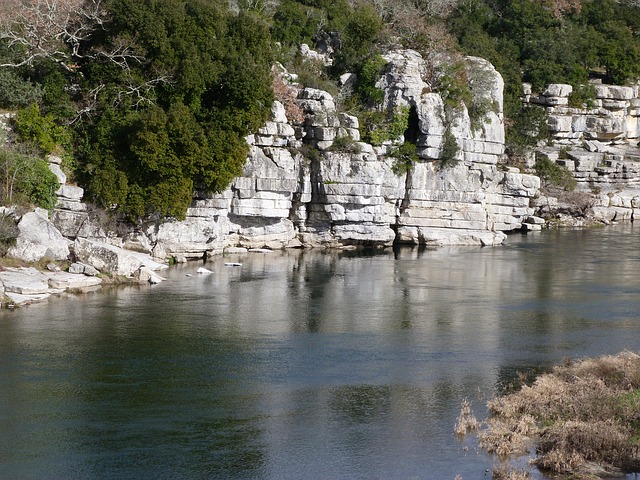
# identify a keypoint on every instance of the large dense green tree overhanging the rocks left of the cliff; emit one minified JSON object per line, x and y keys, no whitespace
{"x":148,"y":158}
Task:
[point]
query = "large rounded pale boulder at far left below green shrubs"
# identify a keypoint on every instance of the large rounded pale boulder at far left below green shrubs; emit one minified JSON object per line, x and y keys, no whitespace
{"x":38,"y":238}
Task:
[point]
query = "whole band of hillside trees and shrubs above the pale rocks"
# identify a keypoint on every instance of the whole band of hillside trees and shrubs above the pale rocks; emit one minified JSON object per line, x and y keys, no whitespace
{"x":147,"y":100}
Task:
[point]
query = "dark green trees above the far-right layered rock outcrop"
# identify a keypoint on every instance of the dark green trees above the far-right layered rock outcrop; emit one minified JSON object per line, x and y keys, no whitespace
{"x":529,"y":41}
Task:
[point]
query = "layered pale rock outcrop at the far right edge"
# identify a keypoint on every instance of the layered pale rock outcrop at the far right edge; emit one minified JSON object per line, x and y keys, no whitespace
{"x":599,"y":146}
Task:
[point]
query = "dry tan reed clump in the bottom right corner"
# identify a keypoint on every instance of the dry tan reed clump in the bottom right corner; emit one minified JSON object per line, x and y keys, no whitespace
{"x":583,"y":418}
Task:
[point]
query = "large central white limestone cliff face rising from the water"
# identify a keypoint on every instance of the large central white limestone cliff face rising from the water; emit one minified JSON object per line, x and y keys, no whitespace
{"x":350,"y":195}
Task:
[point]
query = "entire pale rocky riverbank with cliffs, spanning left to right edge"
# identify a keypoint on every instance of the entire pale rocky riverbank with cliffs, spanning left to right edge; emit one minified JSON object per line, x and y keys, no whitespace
{"x":310,"y":181}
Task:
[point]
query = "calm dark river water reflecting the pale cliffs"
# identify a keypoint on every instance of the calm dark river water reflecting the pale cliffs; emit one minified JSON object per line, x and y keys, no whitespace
{"x":305,"y":364}
